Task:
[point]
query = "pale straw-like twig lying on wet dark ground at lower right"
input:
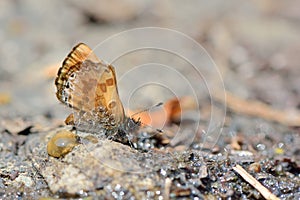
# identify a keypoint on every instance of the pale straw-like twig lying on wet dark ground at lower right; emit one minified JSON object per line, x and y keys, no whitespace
{"x":252,"y":181}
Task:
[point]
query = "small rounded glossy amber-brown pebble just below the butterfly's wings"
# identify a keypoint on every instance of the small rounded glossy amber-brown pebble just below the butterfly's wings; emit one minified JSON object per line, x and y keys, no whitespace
{"x":62,"y":143}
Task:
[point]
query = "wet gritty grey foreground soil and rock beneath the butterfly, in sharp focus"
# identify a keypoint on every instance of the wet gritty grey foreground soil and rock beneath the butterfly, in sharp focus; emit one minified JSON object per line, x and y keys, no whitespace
{"x":148,"y":168}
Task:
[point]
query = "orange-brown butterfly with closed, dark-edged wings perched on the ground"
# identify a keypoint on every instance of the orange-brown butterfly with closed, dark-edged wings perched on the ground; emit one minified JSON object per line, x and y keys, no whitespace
{"x":89,"y":86}
